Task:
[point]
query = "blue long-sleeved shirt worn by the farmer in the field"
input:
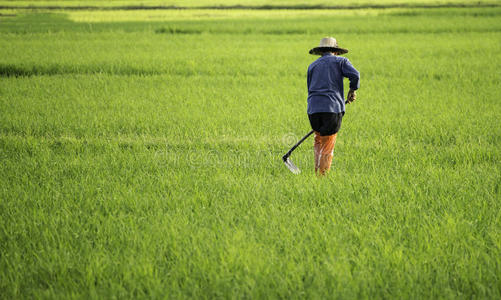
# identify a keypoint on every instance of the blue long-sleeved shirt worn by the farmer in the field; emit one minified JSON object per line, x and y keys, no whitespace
{"x":325,"y":83}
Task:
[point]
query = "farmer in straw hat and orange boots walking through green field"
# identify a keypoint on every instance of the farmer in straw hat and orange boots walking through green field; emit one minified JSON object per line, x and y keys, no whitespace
{"x":326,"y":98}
